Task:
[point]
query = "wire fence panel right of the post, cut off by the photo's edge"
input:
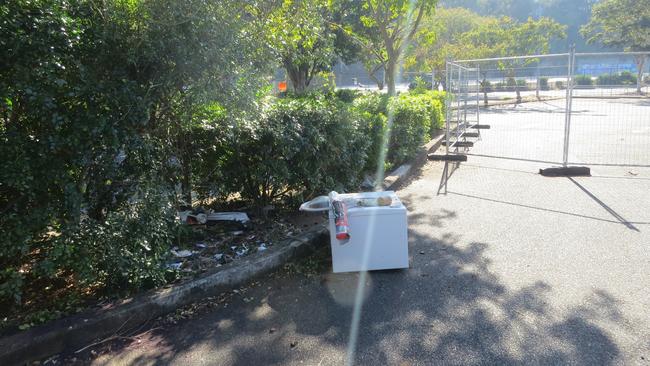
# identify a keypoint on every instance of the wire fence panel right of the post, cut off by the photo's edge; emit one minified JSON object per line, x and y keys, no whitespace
{"x":610,"y":118}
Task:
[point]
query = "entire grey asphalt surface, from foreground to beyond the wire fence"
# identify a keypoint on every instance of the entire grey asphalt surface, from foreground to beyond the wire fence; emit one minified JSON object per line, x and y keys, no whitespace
{"x":508,"y":268}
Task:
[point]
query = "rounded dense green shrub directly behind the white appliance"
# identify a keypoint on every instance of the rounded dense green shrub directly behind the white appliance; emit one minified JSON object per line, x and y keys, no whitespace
{"x":302,"y":147}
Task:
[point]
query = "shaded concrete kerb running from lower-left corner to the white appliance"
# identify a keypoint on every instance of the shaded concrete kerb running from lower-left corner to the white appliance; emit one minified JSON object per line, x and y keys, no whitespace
{"x":79,"y":330}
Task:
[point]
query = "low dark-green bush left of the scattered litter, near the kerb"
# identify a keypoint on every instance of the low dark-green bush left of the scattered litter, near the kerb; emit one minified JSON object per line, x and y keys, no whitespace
{"x":124,"y":252}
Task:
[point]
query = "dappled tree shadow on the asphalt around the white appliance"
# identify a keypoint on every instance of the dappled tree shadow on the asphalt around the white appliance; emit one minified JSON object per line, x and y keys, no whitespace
{"x":449,"y":307}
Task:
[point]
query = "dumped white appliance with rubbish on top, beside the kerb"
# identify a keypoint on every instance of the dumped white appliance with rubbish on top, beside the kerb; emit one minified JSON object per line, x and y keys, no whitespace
{"x":376,"y":231}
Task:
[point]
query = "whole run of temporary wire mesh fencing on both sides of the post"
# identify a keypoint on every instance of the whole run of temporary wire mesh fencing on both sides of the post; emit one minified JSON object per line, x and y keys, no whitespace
{"x":573,"y":108}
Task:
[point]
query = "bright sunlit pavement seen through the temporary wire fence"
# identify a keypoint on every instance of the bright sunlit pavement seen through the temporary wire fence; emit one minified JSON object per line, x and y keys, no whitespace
{"x":602,"y":131}
